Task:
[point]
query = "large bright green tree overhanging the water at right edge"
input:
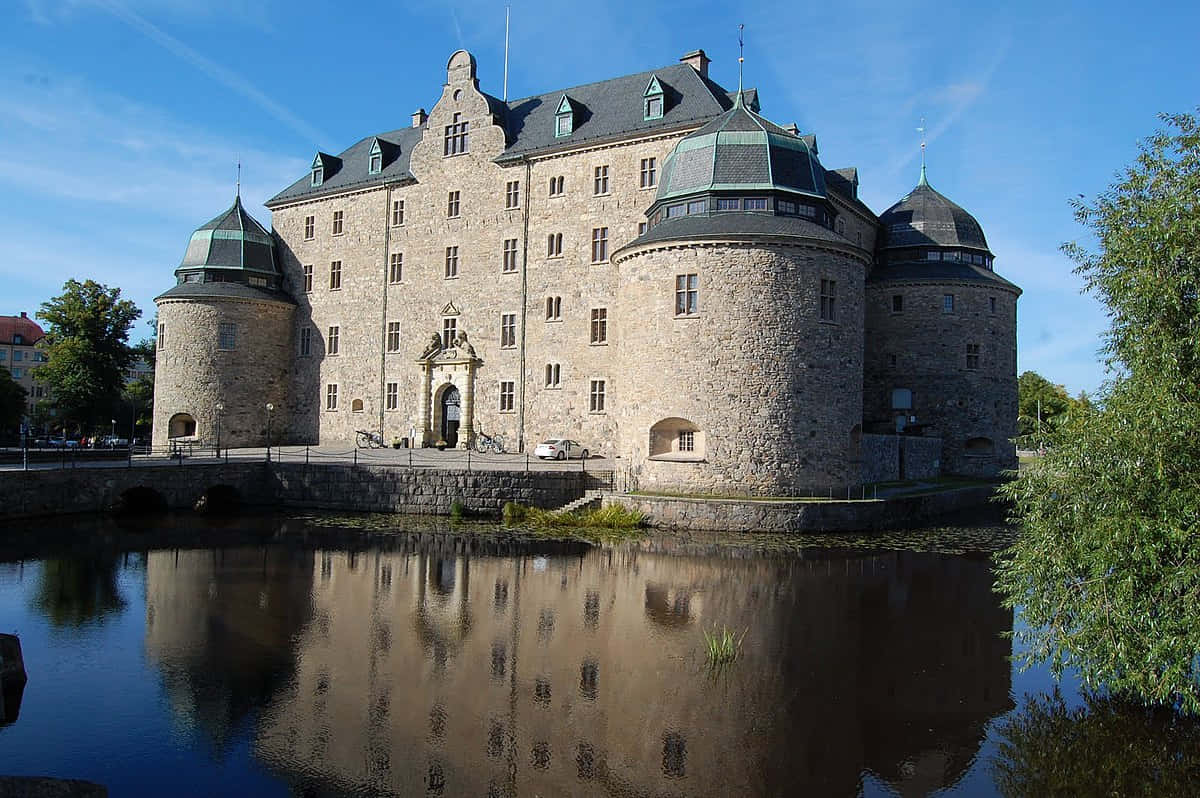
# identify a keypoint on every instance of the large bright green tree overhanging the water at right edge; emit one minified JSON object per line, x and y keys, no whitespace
{"x":1107,"y":572}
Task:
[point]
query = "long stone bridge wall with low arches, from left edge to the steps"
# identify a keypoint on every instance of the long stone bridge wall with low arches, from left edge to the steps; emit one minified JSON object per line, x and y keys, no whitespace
{"x":29,"y":494}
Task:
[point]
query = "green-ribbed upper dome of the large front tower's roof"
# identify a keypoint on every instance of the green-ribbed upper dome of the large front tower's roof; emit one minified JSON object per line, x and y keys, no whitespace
{"x":740,"y":151}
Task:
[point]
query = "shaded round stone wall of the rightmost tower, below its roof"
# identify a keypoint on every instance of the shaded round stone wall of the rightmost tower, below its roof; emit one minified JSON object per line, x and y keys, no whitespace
{"x":974,"y":411}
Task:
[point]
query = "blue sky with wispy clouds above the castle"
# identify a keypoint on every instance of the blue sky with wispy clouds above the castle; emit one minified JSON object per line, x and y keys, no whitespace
{"x":122,"y":121}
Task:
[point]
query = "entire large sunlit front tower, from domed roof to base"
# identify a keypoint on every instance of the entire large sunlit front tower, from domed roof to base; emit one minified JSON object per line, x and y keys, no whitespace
{"x":742,"y":341}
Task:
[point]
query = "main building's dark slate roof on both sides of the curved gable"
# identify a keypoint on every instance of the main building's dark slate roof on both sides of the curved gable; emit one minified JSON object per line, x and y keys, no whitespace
{"x":608,"y":110}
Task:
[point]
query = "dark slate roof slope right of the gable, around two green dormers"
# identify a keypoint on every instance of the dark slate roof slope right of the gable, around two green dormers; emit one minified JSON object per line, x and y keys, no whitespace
{"x":611,"y":109}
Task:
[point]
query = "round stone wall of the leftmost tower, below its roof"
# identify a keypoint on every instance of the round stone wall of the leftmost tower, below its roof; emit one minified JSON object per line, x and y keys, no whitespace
{"x":194,"y":376}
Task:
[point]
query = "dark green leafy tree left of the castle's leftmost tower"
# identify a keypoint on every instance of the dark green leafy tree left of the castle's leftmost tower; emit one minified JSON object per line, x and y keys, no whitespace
{"x":87,"y":347}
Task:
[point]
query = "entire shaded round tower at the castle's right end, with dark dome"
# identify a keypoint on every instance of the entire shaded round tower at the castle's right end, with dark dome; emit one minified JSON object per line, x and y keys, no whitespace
{"x":941,"y":335}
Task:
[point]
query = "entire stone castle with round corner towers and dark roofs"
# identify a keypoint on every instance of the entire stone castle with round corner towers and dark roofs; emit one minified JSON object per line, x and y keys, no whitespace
{"x":645,"y":265}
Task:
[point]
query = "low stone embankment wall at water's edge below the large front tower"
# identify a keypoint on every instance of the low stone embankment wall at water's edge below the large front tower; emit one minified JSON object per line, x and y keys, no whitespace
{"x":799,"y":517}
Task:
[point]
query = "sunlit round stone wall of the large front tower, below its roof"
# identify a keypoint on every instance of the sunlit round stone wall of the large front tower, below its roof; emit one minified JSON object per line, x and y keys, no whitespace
{"x":775,"y":393}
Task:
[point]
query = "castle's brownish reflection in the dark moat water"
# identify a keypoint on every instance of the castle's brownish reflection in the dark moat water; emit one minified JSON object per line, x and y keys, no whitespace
{"x":448,"y":665}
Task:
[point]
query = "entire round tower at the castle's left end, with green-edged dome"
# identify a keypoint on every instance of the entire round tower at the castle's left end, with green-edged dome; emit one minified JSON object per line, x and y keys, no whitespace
{"x":225,"y":340}
